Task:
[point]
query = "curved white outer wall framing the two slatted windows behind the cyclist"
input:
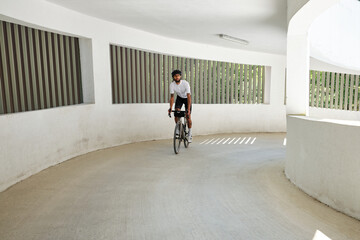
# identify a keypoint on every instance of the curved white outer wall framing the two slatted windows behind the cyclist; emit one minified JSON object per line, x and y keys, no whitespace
{"x":32,"y":141}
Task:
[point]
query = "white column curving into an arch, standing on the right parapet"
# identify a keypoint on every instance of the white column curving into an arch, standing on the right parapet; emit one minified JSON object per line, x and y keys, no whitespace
{"x":298,"y":55}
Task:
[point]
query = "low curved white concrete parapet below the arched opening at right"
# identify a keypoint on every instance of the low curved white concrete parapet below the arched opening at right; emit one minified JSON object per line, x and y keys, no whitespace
{"x":322,"y":159}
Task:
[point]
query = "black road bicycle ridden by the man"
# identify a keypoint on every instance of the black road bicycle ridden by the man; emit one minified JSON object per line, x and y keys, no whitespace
{"x":181,"y":130}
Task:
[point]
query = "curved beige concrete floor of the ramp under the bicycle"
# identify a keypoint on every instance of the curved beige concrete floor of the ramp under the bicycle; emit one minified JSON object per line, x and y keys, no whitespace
{"x":144,"y":191}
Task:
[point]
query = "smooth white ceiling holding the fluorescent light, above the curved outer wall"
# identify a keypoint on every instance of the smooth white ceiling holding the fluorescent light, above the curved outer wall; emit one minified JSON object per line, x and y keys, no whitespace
{"x":262,"y":22}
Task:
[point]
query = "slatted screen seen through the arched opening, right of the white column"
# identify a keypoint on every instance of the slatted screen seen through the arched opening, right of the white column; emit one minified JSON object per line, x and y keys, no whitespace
{"x":334,"y":90}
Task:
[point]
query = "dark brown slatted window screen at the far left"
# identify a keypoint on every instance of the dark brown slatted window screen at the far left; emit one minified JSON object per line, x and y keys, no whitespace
{"x":38,"y":69}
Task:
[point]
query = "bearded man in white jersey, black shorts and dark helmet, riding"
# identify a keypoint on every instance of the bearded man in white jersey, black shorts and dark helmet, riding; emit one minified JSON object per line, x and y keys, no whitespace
{"x":182,"y":90}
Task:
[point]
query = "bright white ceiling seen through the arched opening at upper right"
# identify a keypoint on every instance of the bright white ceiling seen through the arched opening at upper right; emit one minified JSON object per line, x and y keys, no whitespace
{"x":335,"y":35}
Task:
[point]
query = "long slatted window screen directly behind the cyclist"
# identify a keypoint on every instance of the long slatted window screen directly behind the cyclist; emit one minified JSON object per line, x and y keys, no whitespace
{"x":144,"y":77}
